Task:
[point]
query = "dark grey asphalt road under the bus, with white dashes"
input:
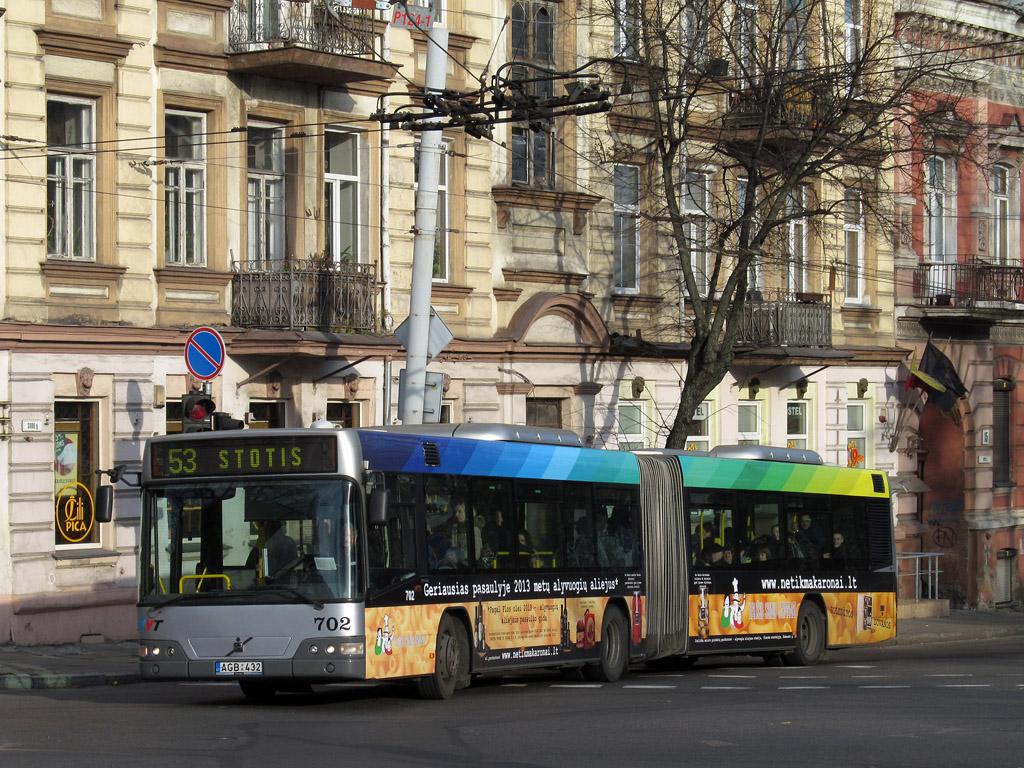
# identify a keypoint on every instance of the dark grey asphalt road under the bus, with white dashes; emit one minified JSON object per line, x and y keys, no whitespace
{"x":935,"y":706}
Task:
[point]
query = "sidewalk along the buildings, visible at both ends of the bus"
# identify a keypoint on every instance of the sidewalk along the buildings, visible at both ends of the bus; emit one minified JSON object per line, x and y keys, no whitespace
{"x":86,"y":665}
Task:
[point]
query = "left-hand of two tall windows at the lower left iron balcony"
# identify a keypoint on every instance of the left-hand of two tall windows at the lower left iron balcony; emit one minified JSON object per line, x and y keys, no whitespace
{"x":267,"y":220}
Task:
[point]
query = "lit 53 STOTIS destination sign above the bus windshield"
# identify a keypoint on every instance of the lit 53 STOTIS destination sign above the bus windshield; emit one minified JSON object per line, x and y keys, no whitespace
{"x":263,"y":455}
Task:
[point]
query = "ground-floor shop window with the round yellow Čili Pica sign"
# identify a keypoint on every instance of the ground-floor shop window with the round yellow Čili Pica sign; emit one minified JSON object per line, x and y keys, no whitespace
{"x":75,"y":456}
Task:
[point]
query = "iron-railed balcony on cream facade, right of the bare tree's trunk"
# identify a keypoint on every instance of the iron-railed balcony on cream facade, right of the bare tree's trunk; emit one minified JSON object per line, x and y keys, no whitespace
{"x":799,"y":320}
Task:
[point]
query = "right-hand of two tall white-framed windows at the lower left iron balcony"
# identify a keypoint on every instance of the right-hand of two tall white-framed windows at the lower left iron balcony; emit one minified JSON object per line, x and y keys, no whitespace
{"x":335,"y":187}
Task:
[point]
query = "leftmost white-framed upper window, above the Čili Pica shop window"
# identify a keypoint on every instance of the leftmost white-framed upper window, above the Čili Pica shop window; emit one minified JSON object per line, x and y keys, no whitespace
{"x":71,"y":168}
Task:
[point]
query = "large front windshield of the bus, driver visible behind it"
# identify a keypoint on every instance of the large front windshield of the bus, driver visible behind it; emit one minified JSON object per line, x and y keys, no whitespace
{"x":239,"y":539}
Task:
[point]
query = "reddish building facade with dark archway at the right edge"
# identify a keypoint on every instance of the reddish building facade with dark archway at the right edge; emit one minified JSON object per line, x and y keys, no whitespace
{"x":959,"y":279}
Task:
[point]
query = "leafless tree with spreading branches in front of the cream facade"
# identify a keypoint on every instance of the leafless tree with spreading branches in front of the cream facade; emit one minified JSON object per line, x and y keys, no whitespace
{"x":755,"y":116}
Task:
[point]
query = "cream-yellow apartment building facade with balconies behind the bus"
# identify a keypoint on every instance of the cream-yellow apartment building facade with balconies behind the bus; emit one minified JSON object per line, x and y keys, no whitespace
{"x":172,"y":164}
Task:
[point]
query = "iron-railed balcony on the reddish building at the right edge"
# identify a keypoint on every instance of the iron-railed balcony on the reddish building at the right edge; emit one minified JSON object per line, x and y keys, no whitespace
{"x":969,"y":284}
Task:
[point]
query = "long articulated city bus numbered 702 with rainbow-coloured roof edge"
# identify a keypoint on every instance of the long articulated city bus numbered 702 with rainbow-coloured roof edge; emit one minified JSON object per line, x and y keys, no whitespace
{"x":285,"y":559}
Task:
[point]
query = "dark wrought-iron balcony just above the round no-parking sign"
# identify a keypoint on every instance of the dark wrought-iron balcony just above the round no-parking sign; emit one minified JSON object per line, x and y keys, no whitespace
{"x":312,"y":295}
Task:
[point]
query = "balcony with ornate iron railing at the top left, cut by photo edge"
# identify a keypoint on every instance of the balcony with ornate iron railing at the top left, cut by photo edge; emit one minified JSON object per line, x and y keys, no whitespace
{"x":308,"y":41}
